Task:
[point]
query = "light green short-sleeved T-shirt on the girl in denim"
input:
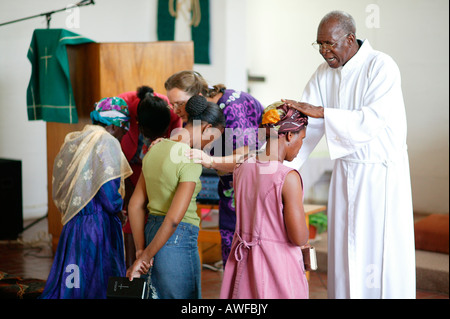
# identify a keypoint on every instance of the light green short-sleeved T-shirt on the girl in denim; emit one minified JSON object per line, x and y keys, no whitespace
{"x":163,"y":167}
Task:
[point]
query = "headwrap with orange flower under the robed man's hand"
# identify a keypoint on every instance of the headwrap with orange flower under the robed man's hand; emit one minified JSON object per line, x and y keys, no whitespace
{"x":283,"y":119}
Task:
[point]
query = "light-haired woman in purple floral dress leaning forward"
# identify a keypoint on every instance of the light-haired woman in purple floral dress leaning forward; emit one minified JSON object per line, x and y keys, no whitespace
{"x":243,"y":115}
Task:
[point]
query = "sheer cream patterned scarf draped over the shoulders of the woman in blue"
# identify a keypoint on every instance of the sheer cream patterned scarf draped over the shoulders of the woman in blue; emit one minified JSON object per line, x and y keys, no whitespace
{"x":87,"y":160}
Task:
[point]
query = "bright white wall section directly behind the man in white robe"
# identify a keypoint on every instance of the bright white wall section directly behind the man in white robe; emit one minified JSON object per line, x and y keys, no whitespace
{"x":414,"y":32}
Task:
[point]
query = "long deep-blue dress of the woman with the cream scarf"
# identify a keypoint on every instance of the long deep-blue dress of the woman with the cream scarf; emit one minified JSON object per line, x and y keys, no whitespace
{"x":90,"y":249}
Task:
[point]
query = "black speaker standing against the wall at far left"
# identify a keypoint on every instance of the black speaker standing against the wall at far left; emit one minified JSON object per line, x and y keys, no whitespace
{"x":11,"y":217}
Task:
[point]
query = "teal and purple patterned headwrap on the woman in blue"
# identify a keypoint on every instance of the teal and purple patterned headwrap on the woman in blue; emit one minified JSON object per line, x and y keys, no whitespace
{"x":112,"y":110}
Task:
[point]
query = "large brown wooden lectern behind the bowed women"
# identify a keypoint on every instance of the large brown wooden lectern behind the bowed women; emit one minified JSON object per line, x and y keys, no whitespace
{"x":99,"y":70}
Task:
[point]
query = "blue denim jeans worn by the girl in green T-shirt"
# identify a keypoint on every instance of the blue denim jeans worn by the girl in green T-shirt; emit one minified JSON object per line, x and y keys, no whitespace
{"x":176,"y":267}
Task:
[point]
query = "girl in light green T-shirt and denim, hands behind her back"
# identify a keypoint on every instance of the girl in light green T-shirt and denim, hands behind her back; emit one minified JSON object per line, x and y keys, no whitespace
{"x":167,"y":188}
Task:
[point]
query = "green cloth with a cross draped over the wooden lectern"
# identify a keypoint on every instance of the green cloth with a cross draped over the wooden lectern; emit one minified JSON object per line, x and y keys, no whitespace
{"x":49,"y":93}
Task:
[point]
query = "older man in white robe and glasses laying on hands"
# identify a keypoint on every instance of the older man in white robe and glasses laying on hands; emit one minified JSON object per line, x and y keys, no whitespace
{"x":355,"y":99}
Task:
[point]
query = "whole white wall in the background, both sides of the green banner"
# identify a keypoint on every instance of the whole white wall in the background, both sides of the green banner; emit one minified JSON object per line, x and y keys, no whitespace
{"x":265,"y":37}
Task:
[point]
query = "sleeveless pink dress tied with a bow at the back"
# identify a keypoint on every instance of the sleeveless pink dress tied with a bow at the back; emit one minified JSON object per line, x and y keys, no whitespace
{"x":263,"y":263}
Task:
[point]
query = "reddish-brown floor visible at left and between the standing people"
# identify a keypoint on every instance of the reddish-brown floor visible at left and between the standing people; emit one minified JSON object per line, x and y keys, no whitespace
{"x":33,"y":259}
